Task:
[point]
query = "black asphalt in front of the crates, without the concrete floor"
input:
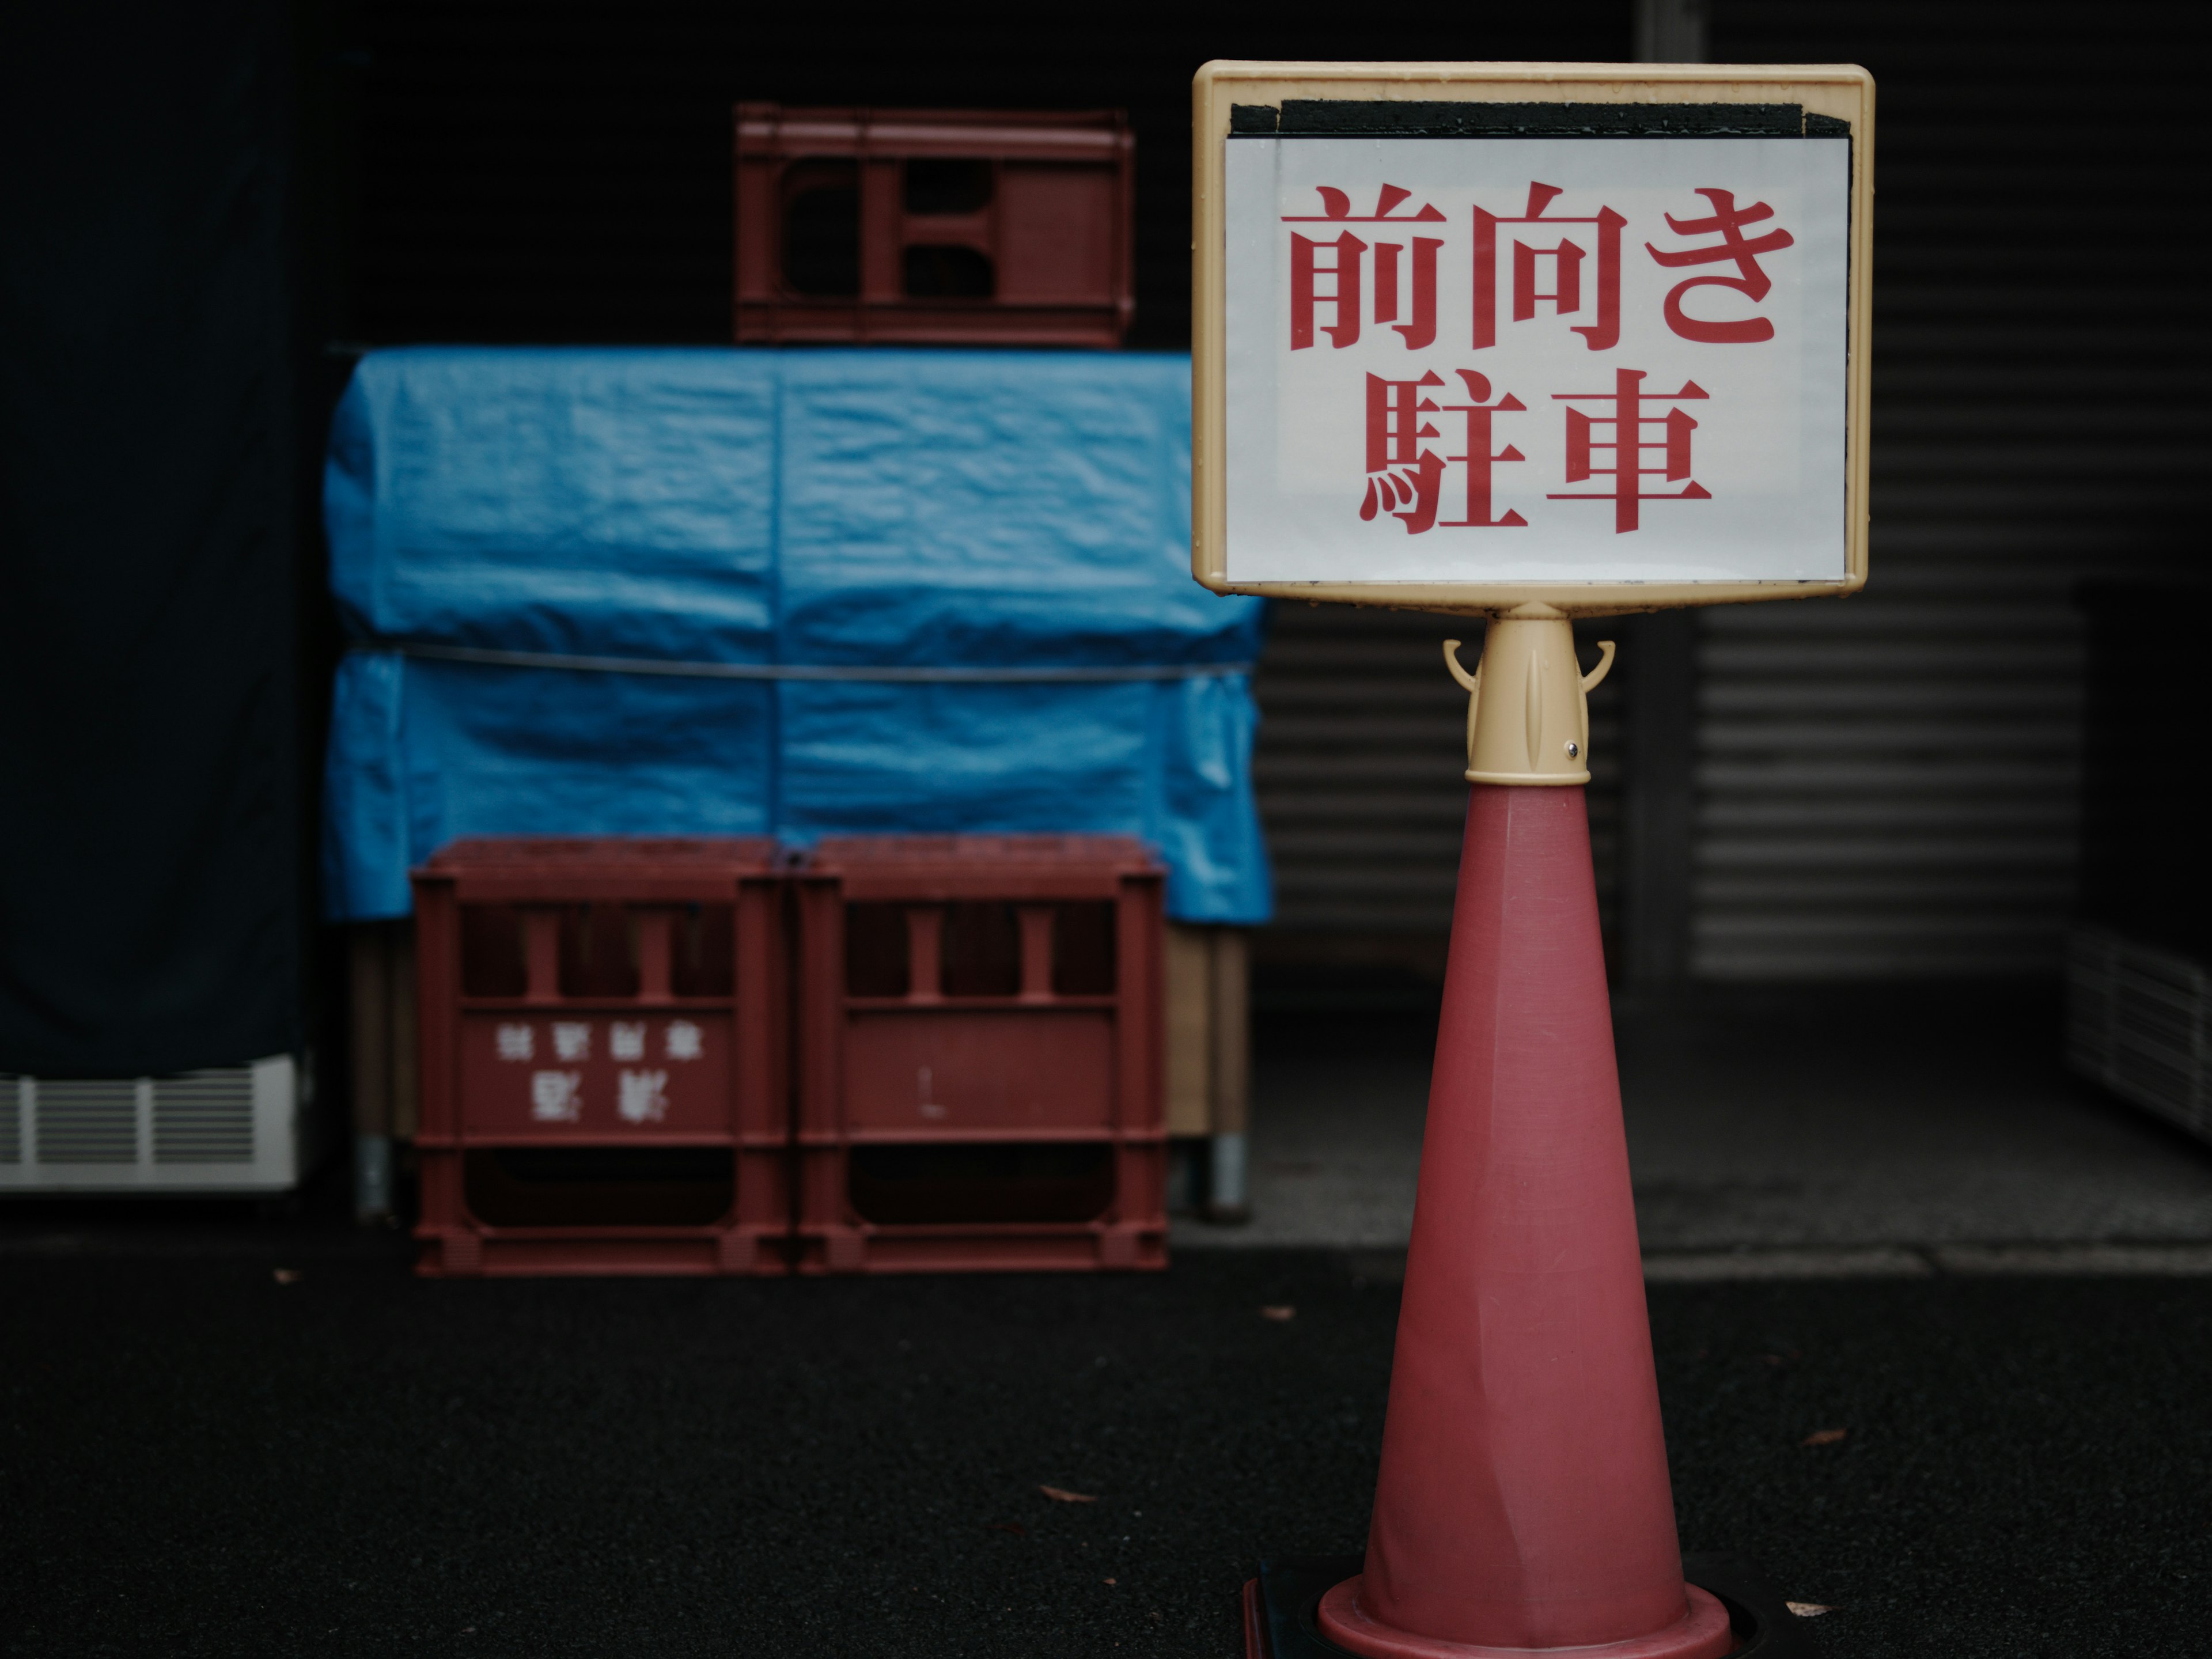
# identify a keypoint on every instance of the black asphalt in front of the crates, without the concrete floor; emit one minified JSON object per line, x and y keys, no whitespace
{"x":300,"y":1450}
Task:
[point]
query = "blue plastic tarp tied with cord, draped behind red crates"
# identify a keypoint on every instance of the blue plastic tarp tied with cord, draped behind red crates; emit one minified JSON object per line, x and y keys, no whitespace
{"x":780,"y":514}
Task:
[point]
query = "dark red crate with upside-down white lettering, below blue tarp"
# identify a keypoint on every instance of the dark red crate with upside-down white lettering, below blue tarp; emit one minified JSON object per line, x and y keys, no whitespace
{"x":603,"y":1043}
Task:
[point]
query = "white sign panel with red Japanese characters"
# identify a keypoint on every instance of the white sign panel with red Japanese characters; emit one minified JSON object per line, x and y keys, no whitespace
{"x":1536,"y":359}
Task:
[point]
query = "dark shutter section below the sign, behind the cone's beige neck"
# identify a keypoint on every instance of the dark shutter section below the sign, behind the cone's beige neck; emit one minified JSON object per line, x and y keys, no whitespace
{"x":1359,"y":764}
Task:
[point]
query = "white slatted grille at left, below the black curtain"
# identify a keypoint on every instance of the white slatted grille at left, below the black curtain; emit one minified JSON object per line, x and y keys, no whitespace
{"x":233,"y":1129}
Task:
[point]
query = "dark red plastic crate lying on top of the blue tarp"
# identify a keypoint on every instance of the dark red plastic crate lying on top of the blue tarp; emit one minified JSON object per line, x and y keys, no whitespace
{"x":932,"y":227}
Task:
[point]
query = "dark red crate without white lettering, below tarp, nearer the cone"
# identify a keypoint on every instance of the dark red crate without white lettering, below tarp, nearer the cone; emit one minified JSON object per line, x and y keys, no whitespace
{"x":981,"y":1056}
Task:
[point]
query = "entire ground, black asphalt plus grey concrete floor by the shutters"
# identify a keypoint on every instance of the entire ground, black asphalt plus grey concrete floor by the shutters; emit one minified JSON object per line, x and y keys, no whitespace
{"x":1932,"y":1331}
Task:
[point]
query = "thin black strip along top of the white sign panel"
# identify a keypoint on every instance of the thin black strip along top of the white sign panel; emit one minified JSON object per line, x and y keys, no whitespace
{"x":1390,"y":118}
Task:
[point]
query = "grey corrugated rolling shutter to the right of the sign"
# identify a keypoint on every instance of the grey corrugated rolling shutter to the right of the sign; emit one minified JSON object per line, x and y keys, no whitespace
{"x":1886,"y":786}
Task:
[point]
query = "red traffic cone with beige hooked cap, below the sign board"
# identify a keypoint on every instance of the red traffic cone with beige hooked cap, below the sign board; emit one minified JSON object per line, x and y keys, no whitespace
{"x":1525,"y":1501}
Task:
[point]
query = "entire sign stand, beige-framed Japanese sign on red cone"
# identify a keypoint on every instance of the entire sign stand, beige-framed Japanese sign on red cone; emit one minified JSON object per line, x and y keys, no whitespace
{"x":1530,"y":344}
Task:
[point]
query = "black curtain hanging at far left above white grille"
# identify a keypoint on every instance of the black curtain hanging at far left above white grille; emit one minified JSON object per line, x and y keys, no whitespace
{"x":149,"y":446}
